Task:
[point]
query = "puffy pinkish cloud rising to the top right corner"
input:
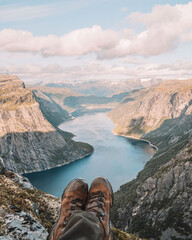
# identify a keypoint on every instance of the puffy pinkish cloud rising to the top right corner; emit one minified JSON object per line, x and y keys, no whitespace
{"x":165,"y":28}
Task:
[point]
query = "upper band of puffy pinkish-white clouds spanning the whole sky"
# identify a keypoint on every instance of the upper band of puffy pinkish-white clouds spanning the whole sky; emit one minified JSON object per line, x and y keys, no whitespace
{"x":165,"y":28}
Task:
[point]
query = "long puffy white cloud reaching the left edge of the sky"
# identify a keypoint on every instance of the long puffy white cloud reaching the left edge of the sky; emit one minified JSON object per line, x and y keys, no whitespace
{"x":78,"y":42}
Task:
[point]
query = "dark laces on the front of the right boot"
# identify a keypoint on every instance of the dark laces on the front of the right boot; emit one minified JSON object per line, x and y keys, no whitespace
{"x":98,"y":198}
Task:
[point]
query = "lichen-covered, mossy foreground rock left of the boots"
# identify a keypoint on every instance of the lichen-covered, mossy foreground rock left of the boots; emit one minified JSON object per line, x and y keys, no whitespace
{"x":25,"y":212}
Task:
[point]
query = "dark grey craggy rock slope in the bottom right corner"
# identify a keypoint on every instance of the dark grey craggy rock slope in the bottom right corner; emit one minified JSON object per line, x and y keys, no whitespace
{"x":161,"y":208}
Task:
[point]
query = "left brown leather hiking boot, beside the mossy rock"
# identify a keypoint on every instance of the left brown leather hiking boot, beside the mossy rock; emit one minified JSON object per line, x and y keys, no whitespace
{"x":74,"y":198}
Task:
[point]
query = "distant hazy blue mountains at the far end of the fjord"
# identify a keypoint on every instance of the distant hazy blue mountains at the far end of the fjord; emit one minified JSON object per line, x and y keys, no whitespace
{"x":60,"y":104}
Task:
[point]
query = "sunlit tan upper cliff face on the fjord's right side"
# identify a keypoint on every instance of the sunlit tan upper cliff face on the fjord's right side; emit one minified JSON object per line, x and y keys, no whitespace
{"x":147,"y":109}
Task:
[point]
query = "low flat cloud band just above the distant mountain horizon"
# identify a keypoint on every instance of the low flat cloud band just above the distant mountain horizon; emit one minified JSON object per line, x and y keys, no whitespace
{"x":97,"y":71}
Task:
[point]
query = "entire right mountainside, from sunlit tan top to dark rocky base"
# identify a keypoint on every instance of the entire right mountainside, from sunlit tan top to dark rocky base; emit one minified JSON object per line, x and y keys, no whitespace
{"x":157,"y":204}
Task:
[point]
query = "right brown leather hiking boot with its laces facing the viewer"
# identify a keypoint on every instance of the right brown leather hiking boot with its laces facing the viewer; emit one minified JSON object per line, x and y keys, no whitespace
{"x":100,"y":200}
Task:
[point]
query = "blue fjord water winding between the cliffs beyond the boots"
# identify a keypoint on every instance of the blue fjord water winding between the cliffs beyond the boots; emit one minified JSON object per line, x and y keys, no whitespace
{"x":115,"y":157}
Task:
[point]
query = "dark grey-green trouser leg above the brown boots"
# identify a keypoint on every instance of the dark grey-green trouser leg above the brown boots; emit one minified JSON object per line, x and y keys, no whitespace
{"x":83,"y":225}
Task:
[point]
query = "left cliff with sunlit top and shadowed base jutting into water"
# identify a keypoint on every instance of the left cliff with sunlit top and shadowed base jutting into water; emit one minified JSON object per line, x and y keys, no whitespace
{"x":28,"y":142}
